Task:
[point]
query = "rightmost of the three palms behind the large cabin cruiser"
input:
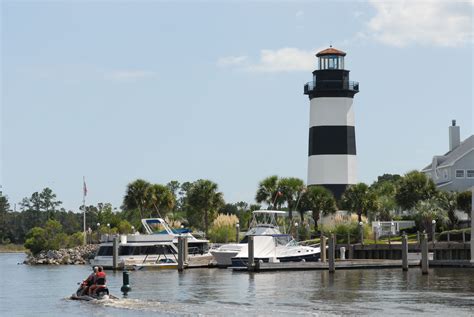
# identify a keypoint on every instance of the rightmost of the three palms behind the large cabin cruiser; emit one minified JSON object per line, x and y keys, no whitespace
{"x":203,"y":201}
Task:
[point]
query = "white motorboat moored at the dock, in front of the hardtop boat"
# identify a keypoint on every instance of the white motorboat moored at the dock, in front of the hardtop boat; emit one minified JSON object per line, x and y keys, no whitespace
{"x":277,"y":248}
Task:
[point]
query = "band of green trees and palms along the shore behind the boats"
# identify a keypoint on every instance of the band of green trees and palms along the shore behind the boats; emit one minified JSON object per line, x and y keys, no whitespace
{"x":196,"y":205}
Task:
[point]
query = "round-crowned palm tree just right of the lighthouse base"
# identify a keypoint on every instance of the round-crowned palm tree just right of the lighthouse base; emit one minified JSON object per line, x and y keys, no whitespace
{"x":359,"y":199}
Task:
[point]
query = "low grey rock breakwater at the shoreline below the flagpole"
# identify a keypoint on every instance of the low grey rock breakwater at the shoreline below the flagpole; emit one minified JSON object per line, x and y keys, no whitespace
{"x":71,"y":256}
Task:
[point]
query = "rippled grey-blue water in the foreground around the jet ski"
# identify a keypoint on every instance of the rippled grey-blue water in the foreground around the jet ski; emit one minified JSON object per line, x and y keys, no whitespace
{"x":43,"y":291}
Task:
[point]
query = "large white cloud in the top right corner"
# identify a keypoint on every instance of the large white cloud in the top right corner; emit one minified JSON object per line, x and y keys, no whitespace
{"x":429,"y":22}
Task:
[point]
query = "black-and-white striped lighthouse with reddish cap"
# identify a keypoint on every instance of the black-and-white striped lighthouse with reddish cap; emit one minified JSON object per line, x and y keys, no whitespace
{"x":332,"y":144}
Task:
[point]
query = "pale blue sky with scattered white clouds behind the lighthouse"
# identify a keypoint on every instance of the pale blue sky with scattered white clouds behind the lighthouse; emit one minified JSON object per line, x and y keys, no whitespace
{"x":115,"y":91}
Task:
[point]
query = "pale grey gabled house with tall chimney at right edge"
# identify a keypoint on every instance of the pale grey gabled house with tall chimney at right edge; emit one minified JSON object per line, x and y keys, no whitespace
{"x":454,"y":171}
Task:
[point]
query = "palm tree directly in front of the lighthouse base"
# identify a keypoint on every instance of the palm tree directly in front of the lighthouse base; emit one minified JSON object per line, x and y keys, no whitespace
{"x":319,"y":200}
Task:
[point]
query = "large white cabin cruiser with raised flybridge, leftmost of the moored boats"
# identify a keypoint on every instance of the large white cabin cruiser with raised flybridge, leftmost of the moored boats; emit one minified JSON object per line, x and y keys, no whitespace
{"x":155,"y":249}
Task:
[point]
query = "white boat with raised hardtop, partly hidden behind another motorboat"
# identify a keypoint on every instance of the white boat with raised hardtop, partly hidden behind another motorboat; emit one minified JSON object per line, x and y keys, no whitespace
{"x":263,"y":224}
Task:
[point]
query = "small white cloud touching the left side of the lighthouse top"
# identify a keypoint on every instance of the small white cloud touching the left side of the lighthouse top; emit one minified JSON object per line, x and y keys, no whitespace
{"x":285,"y":59}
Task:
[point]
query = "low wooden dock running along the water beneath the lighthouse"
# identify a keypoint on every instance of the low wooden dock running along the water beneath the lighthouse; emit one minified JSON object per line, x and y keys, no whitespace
{"x":339,"y":265}
